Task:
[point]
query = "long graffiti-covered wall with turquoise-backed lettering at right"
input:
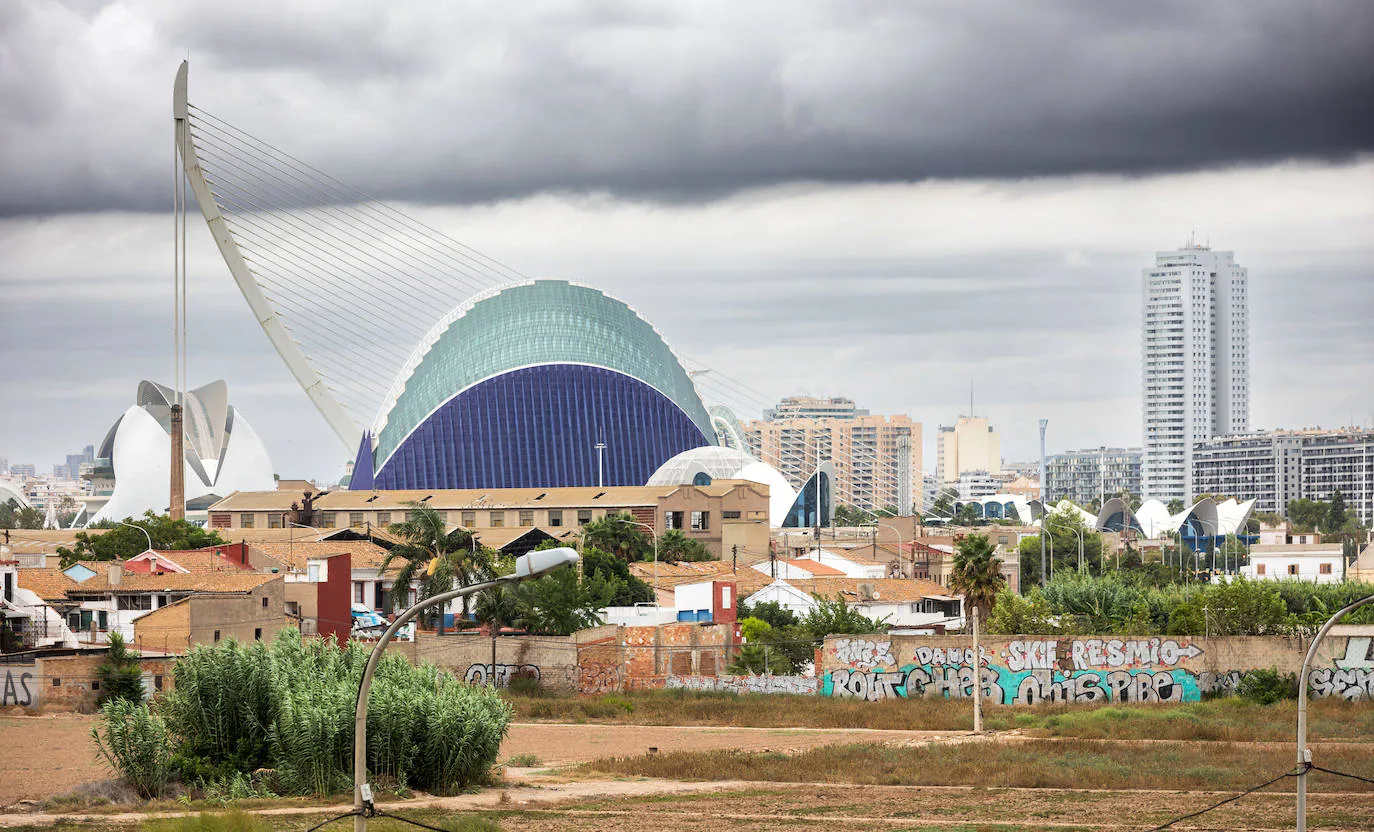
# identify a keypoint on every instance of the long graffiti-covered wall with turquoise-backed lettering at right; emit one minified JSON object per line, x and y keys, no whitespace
{"x":1037,"y":669}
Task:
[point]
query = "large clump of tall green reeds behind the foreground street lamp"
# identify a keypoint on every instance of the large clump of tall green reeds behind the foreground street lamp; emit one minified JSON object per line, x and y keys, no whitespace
{"x":289,"y":706}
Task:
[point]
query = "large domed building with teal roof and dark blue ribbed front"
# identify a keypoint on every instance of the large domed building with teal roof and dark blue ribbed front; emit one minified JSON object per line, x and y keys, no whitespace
{"x":517,"y":386}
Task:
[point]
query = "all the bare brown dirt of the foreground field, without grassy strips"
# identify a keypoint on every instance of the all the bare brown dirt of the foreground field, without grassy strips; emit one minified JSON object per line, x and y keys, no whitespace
{"x":52,"y":754}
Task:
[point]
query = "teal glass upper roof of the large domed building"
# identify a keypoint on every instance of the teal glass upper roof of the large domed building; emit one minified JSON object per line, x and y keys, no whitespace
{"x":531,"y":325}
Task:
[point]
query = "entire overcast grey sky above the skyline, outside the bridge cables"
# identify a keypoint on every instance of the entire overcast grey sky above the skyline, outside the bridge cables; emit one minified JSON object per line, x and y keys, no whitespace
{"x":884,"y":201}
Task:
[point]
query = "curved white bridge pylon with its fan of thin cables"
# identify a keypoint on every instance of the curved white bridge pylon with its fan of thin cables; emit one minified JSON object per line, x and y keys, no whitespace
{"x":343,"y":285}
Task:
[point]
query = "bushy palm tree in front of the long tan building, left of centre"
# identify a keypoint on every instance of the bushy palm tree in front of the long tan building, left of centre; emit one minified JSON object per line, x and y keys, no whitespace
{"x":435,"y":555}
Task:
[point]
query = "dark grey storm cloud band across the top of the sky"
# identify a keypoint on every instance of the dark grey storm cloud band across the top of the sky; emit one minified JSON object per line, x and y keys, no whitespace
{"x":449,"y":105}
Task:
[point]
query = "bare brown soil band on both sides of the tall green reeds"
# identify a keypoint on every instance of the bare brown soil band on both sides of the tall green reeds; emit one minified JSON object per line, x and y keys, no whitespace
{"x":47,"y":756}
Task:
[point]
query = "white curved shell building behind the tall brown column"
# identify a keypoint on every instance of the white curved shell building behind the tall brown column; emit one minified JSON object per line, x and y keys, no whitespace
{"x":223,"y":452}
